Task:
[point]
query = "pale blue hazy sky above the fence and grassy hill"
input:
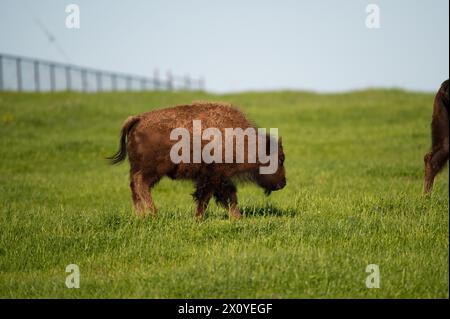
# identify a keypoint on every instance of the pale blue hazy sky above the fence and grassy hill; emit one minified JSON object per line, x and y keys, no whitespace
{"x":320,"y":45}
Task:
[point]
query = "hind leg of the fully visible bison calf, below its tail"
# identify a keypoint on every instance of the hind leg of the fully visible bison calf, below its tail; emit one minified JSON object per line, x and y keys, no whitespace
{"x":140,"y":192}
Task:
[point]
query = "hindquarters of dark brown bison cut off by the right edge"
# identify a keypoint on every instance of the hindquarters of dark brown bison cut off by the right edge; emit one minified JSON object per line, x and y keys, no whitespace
{"x":436,"y":159}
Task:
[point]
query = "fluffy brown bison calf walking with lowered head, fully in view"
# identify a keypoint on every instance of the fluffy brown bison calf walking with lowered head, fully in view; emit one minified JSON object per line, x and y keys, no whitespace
{"x":146,"y":139}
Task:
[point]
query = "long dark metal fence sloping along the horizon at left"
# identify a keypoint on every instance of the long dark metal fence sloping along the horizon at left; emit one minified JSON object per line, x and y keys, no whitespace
{"x":26,"y":74}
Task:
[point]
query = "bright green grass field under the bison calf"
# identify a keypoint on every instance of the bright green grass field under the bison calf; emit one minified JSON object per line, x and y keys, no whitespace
{"x":354,"y":169}
